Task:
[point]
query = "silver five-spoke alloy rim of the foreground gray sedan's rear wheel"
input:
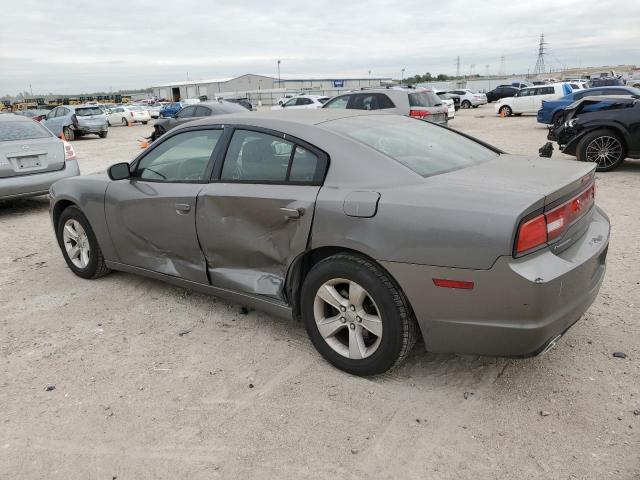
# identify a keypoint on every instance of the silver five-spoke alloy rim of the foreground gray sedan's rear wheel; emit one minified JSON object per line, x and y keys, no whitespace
{"x":347,"y":318}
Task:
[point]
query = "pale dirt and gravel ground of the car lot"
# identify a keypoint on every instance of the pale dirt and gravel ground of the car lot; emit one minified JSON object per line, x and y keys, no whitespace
{"x":152,"y":381}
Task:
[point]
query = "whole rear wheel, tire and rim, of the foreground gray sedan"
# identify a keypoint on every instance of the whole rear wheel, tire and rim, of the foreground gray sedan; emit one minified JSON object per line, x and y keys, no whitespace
{"x":356,"y":316}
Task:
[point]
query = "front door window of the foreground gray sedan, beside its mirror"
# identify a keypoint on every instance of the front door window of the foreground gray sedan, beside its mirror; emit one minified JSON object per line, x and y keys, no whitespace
{"x":180,"y":158}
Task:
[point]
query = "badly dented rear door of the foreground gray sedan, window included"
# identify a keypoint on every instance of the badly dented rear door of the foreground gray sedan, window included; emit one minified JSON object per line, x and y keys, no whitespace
{"x":256,"y":217}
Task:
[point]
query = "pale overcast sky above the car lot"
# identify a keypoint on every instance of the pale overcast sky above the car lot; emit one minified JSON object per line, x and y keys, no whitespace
{"x":46,"y":46}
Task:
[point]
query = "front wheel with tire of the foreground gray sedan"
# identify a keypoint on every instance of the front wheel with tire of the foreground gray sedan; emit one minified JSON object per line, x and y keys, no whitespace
{"x":79,"y":246}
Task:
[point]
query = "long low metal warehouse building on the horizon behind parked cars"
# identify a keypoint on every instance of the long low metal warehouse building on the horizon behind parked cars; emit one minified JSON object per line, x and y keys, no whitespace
{"x":266,"y":87}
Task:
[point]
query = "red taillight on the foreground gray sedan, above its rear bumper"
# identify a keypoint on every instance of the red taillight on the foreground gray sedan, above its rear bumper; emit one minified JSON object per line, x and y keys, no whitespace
{"x":552,"y":224}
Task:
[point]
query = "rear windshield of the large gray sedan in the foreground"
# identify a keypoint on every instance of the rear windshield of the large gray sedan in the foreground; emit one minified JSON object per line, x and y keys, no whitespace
{"x":425,"y":148}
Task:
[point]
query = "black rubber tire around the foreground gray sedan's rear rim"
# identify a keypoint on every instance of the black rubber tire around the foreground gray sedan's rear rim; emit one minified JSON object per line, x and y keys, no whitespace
{"x":399,"y":327}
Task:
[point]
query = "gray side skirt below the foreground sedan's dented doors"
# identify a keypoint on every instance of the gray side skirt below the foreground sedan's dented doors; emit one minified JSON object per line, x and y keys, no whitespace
{"x":271,"y":306}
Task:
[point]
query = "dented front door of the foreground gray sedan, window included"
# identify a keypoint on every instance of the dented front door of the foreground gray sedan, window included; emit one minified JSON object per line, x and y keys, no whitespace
{"x":151,"y":216}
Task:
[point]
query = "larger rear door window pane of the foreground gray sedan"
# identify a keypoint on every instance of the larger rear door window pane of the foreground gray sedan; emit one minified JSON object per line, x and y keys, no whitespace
{"x":256,"y":157}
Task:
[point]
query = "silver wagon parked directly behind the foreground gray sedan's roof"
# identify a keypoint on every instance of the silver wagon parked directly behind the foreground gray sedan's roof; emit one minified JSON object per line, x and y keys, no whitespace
{"x":422,"y":104}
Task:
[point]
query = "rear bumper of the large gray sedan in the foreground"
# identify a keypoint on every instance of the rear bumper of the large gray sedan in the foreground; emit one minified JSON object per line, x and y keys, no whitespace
{"x":515,"y":308}
